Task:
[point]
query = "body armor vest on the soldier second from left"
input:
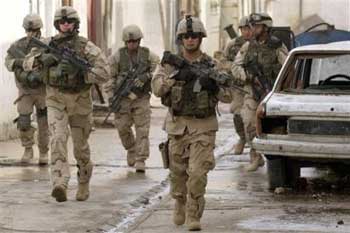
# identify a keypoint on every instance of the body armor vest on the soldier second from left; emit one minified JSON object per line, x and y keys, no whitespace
{"x":71,"y":83}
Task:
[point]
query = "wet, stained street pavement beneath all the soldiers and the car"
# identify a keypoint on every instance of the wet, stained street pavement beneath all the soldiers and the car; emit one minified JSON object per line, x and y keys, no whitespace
{"x":123,"y":201}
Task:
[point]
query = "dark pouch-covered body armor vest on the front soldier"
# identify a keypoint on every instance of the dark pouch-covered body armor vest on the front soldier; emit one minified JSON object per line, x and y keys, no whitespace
{"x":183,"y":101}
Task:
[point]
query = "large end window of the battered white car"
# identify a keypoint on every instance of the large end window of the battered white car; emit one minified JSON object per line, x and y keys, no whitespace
{"x":318,"y":74}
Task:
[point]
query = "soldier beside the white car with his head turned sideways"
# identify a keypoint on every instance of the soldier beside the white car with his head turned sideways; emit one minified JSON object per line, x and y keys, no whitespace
{"x":268,"y":53}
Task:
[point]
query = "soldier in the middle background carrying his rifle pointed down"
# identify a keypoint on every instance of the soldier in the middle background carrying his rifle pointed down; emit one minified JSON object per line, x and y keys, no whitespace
{"x":135,"y":108}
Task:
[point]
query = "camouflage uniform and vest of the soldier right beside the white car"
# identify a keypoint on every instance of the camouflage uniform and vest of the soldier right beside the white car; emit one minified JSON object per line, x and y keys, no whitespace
{"x":270,"y":55}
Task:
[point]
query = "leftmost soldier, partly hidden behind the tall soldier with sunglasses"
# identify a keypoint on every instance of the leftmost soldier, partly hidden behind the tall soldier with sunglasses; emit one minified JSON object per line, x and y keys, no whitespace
{"x":31,"y":92}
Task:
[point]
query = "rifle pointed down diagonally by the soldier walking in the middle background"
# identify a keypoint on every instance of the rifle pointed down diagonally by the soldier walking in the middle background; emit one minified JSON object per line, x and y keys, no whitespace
{"x":125,"y":87}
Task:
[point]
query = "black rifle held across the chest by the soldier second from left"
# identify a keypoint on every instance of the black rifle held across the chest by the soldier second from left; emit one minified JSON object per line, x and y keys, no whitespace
{"x":71,"y":56}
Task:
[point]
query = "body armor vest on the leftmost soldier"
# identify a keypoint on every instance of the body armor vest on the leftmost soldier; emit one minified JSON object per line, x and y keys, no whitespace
{"x":24,"y":47}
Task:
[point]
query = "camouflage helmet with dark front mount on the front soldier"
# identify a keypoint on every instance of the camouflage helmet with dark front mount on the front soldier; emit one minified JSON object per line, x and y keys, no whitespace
{"x":190,"y":24}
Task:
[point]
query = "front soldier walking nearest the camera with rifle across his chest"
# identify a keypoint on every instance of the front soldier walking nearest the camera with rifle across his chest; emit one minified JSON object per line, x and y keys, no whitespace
{"x":191,"y":123}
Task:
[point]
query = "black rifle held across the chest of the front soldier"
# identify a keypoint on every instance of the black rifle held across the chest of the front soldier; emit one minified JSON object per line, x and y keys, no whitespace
{"x":200,"y":71}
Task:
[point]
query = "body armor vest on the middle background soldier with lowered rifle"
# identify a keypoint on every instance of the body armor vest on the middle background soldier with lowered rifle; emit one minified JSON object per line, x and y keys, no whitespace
{"x":125,"y":64}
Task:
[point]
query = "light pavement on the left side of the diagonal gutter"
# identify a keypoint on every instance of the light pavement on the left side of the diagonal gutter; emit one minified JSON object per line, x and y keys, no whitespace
{"x":118,"y":195}
